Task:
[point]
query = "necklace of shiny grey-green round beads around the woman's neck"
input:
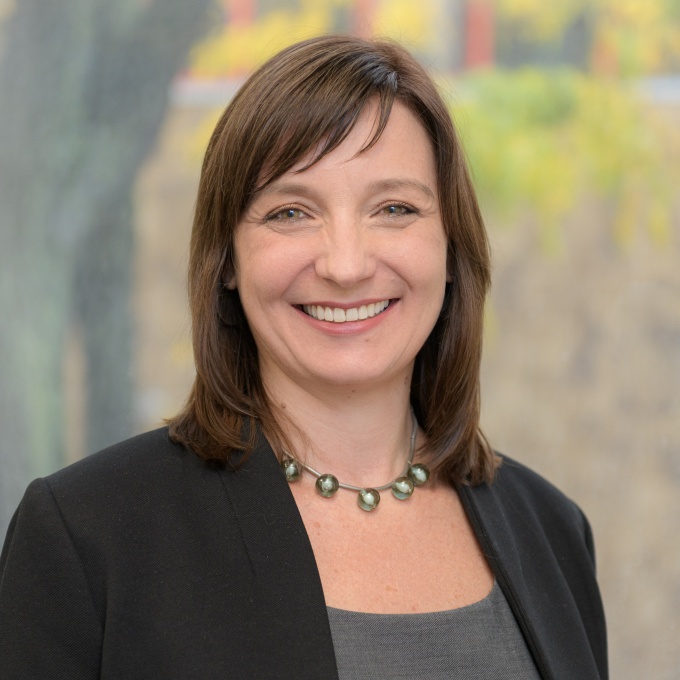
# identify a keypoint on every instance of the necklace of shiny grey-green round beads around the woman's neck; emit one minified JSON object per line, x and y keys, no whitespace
{"x":367,"y":498}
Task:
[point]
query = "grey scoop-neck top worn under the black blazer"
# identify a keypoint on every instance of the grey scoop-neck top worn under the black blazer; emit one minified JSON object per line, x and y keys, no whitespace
{"x":479,"y":642}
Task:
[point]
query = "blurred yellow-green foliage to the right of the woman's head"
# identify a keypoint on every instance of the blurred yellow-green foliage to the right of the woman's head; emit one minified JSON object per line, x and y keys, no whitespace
{"x":544,"y":139}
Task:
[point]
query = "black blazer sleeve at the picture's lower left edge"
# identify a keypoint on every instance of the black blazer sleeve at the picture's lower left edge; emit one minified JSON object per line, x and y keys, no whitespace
{"x":49,"y":626}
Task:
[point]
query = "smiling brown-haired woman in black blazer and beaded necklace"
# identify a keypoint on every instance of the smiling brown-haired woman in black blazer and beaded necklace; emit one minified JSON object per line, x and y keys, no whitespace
{"x":337,"y":277}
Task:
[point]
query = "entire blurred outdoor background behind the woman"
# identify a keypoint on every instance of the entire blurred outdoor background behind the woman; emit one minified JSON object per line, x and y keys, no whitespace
{"x":570,"y":114}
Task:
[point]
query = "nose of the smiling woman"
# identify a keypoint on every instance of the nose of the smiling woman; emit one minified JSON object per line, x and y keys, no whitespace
{"x":347,"y":255}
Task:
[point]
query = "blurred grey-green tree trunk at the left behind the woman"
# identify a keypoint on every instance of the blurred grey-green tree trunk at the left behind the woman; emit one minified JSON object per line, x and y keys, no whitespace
{"x":84,"y":89}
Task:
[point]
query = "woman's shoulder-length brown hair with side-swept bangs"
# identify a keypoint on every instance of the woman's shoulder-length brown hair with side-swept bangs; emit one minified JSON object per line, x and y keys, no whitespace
{"x":308,"y":97}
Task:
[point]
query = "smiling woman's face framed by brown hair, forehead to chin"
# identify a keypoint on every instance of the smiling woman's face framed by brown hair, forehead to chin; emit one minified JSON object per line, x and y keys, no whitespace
{"x":341,"y":268}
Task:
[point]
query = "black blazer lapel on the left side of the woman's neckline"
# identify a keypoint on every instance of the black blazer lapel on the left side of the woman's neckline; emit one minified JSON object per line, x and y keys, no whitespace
{"x":291,"y":636}
